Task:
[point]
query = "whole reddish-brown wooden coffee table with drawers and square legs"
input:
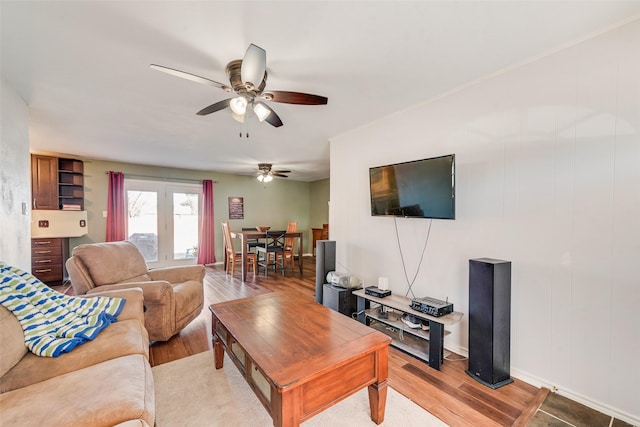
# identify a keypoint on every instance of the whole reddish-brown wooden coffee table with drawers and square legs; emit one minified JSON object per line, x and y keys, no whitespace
{"x":300,"y":357}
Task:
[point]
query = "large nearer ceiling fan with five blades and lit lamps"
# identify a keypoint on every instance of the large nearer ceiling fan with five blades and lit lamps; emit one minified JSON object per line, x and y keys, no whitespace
{"x":248,"y":79}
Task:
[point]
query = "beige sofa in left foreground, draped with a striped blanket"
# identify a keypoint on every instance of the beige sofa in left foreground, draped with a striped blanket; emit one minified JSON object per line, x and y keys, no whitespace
{"x":103,"y":382}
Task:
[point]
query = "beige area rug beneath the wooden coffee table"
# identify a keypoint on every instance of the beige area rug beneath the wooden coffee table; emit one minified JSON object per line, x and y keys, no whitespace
{"x":191,"y":392}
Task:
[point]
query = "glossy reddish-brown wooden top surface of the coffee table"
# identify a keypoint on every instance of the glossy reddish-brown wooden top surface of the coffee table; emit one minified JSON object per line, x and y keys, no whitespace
{"x":292,"y":338}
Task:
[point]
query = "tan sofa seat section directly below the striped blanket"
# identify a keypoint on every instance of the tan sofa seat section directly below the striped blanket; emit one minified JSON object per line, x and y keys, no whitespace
{"x":119,"y":339}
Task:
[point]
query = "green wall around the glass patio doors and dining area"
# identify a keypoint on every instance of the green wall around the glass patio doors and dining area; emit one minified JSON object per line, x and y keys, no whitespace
{"x":273,"y":204}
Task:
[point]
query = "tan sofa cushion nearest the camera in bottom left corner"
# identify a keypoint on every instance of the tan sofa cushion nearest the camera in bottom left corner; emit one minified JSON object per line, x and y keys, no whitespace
{"x":106,"y":394}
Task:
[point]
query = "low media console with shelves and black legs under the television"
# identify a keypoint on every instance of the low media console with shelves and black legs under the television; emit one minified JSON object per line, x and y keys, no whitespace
{"x":426,"y":345}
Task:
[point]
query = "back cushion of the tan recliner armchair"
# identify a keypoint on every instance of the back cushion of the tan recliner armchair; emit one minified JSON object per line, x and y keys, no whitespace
{"x":112,"y":262}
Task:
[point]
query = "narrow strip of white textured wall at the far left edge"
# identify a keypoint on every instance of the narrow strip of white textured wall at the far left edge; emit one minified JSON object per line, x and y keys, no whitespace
{"x":15,"y":173}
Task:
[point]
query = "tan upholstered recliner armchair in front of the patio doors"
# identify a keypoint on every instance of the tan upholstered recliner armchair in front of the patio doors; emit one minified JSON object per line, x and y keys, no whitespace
{"x":173,"y":296}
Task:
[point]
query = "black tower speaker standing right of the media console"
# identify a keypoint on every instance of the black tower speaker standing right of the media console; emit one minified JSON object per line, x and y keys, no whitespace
{"x":490,"y":321}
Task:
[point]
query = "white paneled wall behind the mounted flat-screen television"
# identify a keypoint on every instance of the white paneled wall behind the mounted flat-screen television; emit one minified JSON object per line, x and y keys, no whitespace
{"x":548,"y":177}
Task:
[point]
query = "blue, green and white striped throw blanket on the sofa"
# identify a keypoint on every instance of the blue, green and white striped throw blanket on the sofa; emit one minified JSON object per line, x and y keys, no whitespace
{"x":54,"y":323}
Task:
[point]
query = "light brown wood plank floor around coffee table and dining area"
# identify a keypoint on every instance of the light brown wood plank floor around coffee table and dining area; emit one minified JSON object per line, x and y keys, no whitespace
{"x":449,"y":394}
